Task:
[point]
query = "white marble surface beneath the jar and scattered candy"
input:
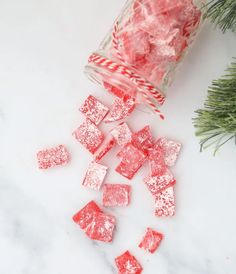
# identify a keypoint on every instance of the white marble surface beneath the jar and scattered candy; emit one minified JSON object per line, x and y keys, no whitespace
{"x":44,"y":46}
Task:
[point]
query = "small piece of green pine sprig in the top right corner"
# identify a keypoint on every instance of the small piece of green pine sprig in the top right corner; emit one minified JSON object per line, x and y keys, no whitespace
{"x":222,"y":13}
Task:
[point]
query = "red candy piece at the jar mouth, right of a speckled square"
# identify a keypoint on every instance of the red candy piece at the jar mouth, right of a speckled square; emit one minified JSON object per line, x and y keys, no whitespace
{"x":120,"y":109}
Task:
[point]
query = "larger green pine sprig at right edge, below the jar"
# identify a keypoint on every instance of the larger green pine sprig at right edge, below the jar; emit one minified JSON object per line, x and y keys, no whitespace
{"x":216,"y":123}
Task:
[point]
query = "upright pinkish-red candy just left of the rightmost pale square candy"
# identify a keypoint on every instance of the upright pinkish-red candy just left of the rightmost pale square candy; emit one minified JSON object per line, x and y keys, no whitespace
{"x":157,"y":161}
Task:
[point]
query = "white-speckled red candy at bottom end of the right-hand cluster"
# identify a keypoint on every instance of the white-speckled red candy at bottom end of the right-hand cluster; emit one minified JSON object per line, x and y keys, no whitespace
{"x":165,"y":203}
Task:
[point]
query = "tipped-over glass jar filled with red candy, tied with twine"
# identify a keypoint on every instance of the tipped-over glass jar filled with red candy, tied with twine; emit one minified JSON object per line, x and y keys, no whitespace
{"x":140,"y":54}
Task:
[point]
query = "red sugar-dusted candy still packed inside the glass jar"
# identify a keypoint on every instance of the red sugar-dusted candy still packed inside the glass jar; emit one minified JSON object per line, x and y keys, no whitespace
{"x":154,"y":35}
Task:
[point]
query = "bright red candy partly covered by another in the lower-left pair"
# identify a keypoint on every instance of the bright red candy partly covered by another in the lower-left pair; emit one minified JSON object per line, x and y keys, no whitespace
{"x":85,"y":216}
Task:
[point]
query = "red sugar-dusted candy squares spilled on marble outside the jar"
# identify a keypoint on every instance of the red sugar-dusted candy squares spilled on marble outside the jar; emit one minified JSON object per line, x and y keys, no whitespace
{"x":135,"y":149}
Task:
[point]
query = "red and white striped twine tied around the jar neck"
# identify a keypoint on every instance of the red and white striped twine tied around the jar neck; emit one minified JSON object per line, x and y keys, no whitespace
{"x":148,"y":91}
